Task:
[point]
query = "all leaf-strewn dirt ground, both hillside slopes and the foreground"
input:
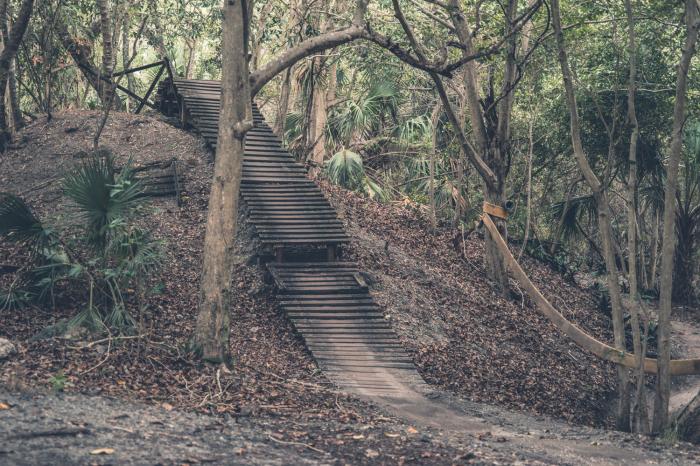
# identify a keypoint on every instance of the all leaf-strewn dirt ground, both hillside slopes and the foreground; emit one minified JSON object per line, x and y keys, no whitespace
{"x":152,"y":403}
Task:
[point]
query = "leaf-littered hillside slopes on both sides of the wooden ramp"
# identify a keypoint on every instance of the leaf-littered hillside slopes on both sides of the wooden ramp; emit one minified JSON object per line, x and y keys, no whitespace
{"x":463,"y":336}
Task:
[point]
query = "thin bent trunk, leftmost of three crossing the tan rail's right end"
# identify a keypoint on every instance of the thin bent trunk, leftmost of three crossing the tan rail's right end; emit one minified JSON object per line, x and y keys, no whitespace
{"x":623,"y":419}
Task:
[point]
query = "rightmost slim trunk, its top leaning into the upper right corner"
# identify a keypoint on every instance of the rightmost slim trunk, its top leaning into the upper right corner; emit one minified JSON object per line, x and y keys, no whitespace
{"x":663,"y":379}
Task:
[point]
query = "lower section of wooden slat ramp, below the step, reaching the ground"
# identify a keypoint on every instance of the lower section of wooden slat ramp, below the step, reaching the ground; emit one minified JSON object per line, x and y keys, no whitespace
{"x":331,"y":308}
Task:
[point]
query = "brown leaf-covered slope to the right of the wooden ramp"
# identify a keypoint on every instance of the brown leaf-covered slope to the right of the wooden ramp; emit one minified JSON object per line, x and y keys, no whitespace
{"x":464,"y":336}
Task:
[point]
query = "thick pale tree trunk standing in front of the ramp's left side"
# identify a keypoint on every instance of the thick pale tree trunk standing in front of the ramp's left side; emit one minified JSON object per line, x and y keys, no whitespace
{"x":235,"y":119}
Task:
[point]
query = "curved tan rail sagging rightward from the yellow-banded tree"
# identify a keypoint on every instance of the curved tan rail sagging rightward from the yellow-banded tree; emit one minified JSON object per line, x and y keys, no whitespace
{"x":571,"y":330}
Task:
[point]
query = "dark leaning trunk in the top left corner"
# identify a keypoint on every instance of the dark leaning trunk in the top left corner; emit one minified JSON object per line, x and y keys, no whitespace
{"x":7,"y":56}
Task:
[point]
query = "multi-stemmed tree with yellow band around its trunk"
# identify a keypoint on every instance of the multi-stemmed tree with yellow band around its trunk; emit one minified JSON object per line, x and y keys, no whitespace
{"x":490,"y":115}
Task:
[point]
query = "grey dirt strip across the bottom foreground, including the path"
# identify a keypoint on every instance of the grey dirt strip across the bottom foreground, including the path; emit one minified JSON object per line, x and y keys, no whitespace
{"x":70,"y":429}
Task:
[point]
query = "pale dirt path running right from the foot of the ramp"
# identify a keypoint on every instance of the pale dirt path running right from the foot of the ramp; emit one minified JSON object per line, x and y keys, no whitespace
{"x":534,"y":439}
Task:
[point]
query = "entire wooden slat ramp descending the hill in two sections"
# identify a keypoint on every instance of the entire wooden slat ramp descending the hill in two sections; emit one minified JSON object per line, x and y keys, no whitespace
{"x":328,"y":302}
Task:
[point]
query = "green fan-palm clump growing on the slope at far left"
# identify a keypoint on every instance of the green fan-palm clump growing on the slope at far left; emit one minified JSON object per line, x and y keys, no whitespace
{"x":112,"y":263}
